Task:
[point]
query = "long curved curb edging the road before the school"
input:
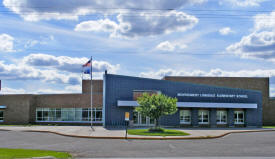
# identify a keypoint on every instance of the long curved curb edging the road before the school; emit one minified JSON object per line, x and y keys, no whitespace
{"x":144,"y":138}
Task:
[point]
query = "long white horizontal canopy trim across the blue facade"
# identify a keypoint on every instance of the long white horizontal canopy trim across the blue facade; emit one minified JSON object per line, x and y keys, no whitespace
{"x":121,"y":103}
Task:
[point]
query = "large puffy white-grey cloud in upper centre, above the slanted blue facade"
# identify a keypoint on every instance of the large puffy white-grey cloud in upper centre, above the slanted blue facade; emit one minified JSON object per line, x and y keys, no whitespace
{"x":142,"y":24}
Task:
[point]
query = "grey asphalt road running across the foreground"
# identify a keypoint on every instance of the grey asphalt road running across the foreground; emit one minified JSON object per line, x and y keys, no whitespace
{"x":245,"y":144}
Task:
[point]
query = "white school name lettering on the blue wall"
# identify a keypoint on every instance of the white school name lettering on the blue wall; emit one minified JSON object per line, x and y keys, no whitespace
{"x":212,"y":95}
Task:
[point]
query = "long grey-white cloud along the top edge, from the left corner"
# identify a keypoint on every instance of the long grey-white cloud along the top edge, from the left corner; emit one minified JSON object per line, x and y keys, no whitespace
{"x":34,"y":10}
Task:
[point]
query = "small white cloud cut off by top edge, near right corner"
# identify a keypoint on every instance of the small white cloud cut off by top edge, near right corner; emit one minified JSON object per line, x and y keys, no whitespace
{"x":244,"y":3}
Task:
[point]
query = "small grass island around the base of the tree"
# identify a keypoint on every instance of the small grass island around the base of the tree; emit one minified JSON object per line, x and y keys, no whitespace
{"x":166,"y":132}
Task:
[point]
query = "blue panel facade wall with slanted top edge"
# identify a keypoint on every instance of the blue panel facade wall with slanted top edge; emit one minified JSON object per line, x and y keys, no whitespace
{"x":117,"y":87}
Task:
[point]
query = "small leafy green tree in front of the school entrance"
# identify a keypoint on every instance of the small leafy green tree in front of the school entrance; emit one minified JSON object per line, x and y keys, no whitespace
{"x":156,"y":105}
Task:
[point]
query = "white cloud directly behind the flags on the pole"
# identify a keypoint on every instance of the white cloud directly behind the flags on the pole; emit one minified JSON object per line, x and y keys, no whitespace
{"x":65,"y":63}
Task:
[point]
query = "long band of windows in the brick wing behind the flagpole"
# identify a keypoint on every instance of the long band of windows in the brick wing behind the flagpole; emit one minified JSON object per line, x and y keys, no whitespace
{"x":68,"y":115}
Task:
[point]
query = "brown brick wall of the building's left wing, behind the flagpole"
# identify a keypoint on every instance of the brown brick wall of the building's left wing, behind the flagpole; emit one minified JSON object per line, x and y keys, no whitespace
{"x":21,"y":109}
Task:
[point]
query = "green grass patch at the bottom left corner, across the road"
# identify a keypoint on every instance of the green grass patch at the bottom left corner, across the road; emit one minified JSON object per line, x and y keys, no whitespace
{"x":27,"y":153}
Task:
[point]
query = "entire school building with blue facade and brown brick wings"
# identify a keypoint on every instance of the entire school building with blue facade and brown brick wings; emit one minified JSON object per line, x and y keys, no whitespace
{"x":202,"y":102}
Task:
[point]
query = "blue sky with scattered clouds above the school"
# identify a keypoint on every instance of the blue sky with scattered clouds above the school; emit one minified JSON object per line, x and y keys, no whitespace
{"x":44,"y":43}
